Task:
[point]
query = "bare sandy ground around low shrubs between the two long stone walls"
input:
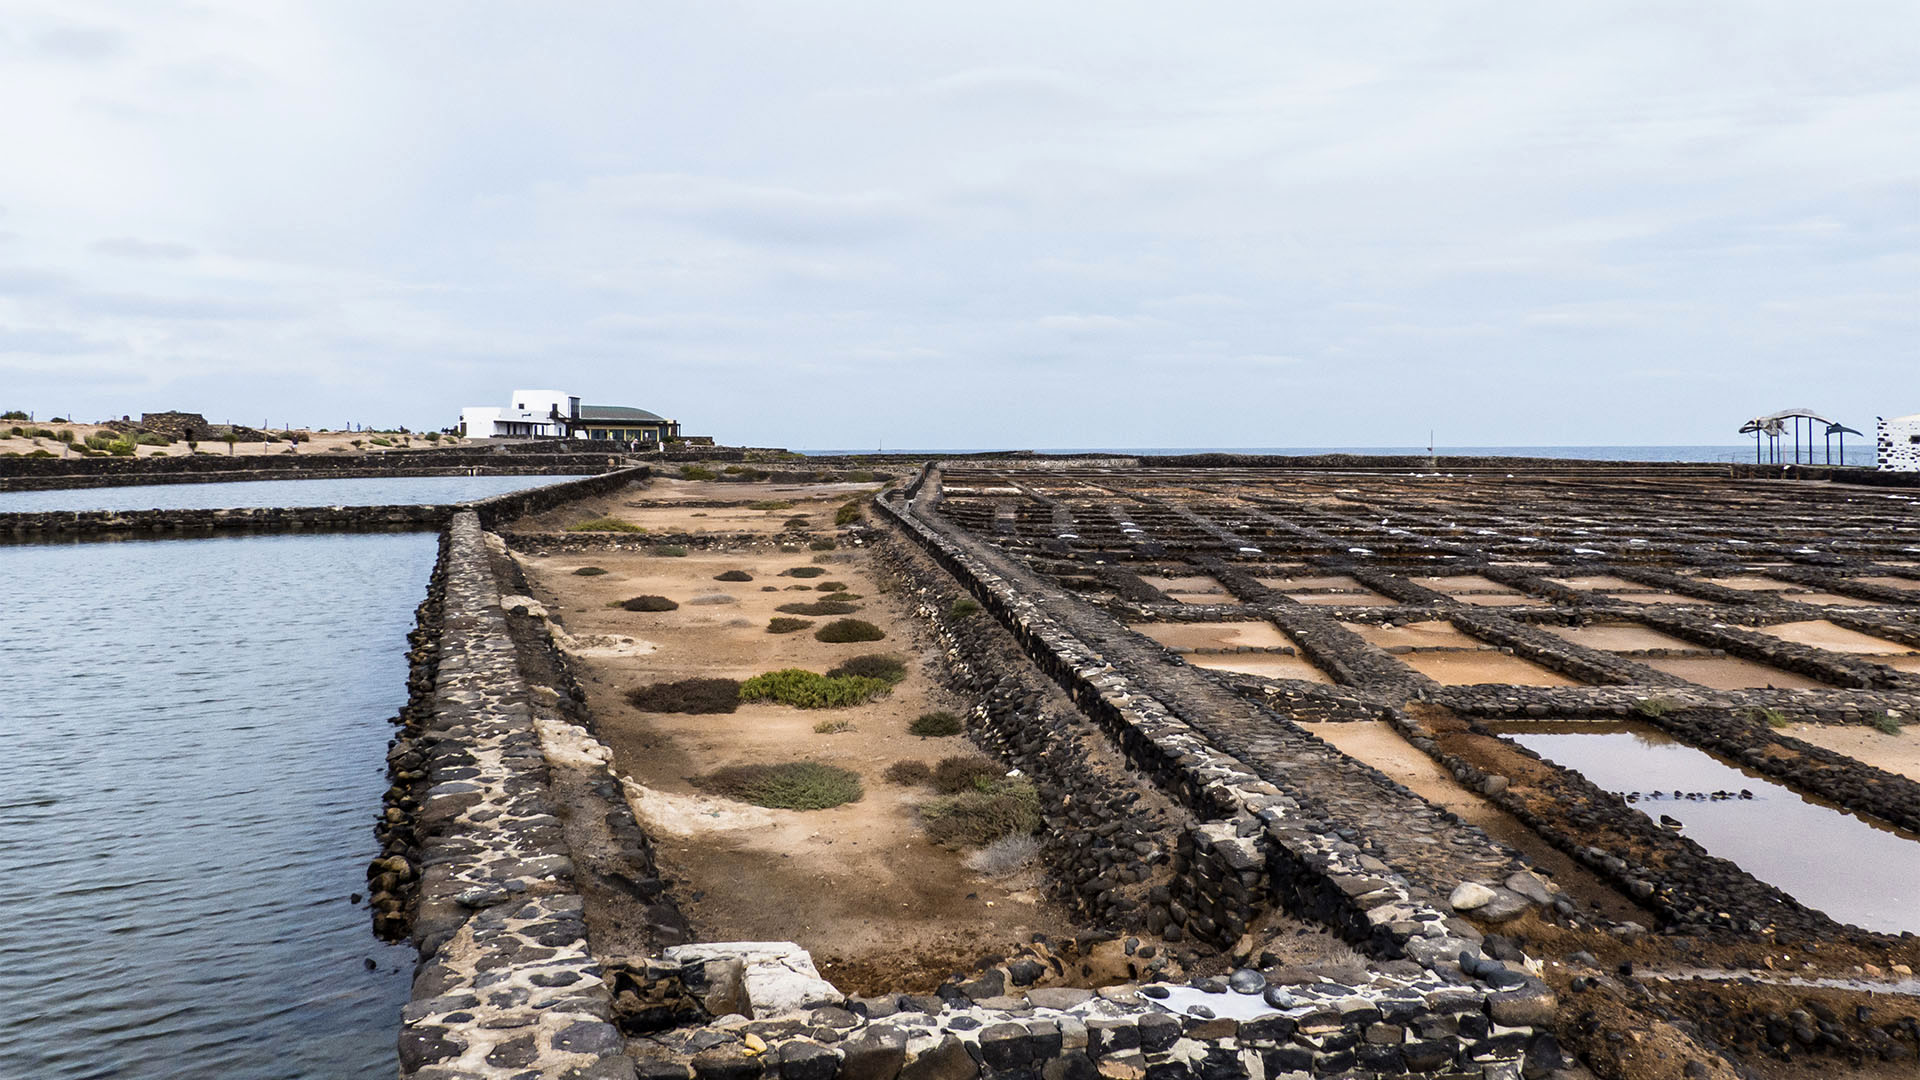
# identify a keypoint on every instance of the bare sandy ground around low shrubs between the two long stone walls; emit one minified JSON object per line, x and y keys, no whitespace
{"x":857,"y":885}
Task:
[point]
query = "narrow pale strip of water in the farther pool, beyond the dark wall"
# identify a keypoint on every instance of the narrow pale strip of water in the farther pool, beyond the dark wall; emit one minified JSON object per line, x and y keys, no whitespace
{"x":372,"y":491}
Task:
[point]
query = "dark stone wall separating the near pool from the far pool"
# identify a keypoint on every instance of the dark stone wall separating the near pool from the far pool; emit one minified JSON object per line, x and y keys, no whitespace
{"x":155,"y":524}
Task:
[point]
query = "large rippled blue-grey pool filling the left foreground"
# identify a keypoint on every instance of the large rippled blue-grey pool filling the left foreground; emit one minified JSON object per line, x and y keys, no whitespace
{"x":195,"y":752}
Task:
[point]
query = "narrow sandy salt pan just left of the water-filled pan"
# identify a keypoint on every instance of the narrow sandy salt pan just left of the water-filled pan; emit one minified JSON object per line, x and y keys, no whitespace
{"x":1381,"y":747}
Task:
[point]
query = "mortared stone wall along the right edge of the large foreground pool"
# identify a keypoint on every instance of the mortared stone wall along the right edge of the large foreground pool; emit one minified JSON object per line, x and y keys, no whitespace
{"x":506,"y":983}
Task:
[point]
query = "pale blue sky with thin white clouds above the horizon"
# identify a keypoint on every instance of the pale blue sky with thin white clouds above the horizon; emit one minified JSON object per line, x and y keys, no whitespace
{"x":969,"y":226}
